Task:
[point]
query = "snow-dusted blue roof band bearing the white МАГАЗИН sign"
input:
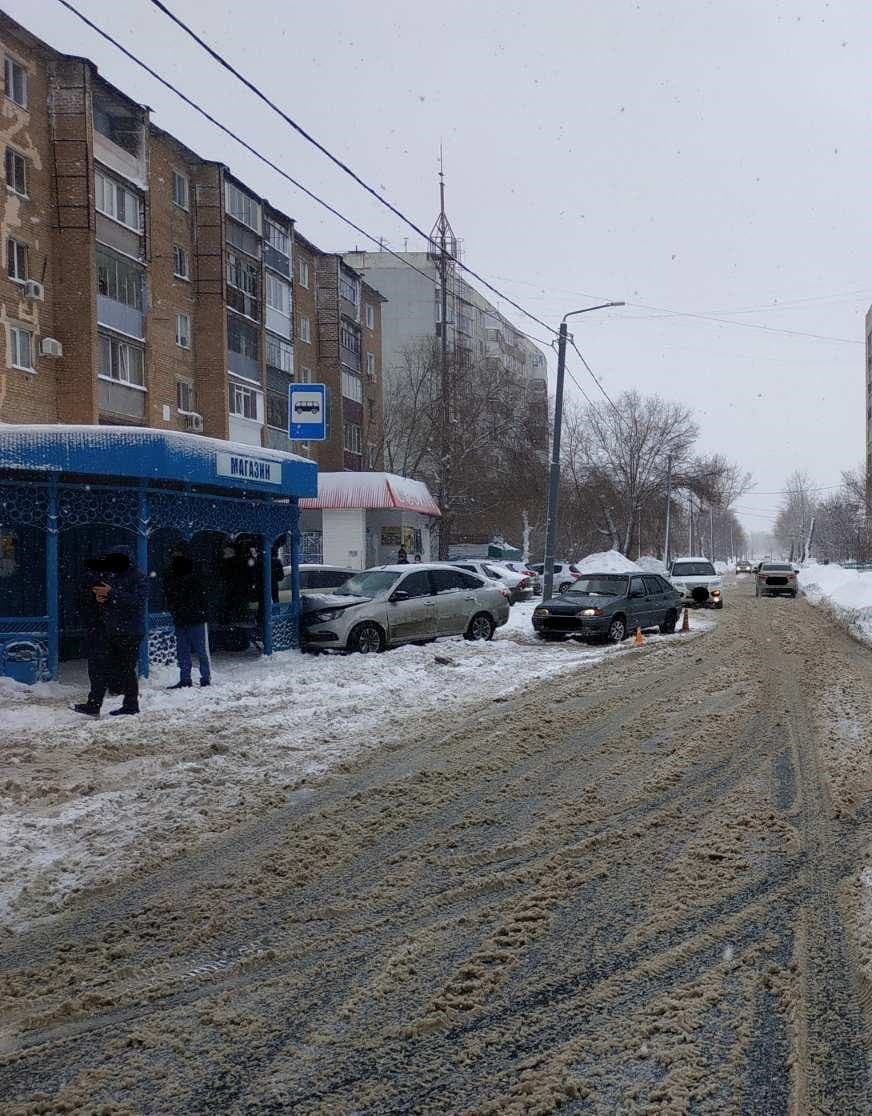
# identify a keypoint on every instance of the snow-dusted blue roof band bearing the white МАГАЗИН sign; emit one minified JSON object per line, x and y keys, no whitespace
{"x":140,"y":453}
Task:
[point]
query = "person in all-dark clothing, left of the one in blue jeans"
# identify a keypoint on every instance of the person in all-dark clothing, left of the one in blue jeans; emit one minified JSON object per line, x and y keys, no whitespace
{"x":113,"y":600}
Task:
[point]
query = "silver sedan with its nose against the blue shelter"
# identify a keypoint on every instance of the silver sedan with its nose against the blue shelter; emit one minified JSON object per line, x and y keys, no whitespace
{"x":392,"y":605}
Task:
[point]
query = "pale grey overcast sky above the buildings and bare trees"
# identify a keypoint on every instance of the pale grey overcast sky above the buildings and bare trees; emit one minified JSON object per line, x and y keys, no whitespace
{"x":689,"y":158}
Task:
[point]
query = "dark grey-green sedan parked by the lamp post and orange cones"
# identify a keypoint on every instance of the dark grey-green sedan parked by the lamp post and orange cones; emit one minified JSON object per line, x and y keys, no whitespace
{"x":609,"y":607}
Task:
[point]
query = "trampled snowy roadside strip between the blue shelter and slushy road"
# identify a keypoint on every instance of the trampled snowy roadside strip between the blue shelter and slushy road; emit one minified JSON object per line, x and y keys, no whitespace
{"x":83,"y":802}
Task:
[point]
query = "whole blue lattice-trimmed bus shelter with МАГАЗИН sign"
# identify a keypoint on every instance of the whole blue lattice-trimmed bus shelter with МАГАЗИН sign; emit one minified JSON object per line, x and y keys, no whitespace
{"x":70,"y":493}
